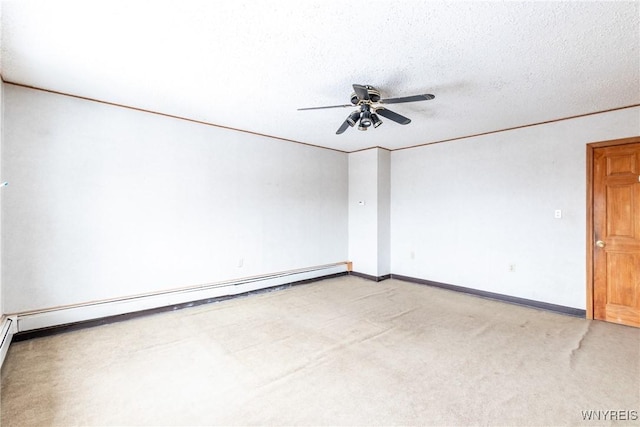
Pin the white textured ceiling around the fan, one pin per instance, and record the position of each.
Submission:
(250, 64)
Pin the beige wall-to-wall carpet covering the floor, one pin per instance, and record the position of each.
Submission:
(343, 351)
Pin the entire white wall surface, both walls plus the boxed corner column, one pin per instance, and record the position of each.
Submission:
(106, 202)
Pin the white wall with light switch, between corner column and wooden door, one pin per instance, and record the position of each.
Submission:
(462, 212)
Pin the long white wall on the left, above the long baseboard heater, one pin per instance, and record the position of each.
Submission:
(107, 202)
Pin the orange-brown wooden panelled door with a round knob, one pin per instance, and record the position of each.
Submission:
(616, 232)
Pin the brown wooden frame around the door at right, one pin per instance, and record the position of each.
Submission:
(591, 147)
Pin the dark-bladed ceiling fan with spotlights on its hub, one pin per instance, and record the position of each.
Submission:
(370, 105)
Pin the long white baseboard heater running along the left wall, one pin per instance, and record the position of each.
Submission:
(175, 298)
